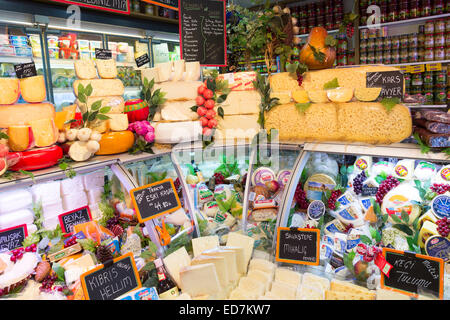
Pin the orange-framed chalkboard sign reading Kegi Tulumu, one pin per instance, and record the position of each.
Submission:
(414, 274)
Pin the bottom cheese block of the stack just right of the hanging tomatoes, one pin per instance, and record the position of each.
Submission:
(243, 127)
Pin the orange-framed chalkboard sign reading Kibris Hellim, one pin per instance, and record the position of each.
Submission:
(112, 281)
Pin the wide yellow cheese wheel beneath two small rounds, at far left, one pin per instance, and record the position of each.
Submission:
(22, 114)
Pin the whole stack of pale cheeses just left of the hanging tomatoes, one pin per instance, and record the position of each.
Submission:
(175, 122)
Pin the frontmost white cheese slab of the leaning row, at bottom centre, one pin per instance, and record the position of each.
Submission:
(200, 280)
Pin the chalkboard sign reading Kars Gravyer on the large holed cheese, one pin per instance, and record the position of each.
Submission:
(390, 82)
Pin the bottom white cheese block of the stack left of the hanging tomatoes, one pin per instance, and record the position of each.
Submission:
(177, 132)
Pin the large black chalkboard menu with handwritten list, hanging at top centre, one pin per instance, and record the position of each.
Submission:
(203, 31)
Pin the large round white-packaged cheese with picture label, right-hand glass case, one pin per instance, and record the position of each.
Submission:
(402, 198)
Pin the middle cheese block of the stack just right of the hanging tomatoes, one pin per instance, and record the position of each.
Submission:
(241, 102)
